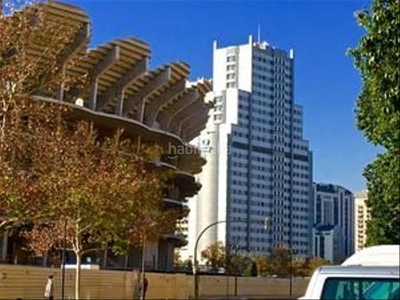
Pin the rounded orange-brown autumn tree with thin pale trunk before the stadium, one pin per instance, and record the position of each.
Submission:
(121, 204)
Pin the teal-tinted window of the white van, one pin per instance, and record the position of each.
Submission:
(361, 289)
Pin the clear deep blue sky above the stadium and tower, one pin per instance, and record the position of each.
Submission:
(326, 84)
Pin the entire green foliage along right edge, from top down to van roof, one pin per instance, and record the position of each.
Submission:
(377, 57)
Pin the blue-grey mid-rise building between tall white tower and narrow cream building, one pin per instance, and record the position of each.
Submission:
(334, 206)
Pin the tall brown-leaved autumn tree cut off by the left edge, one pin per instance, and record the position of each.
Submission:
(22, 74)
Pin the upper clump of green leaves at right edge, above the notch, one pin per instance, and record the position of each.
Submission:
(377, 57)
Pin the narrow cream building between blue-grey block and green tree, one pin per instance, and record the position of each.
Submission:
(361, 216)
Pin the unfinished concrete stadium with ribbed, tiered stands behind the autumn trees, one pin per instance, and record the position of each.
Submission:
(155, 106)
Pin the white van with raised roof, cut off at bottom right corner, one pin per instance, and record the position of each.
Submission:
(370, 274)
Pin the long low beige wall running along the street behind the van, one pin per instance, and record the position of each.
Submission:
(29, 282)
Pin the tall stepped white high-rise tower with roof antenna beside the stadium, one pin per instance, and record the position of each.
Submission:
(259, 167)
